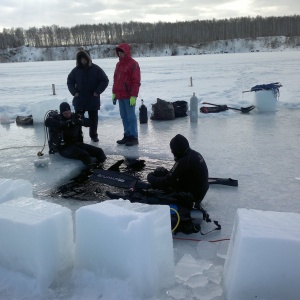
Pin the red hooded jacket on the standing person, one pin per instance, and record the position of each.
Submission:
(127, 76)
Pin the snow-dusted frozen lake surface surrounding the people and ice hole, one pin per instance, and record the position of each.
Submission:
(261, 150)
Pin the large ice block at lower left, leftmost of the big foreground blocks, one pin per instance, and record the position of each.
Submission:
(36, 239)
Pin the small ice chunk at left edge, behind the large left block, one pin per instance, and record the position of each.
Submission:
(12, 189)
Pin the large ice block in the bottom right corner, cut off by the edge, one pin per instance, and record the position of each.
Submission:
(263, 259)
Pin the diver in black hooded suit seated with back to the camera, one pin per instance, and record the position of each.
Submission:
(189, 173)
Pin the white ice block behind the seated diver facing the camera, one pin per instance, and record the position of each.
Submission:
(39, 109)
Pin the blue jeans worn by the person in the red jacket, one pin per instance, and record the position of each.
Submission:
(129, 119)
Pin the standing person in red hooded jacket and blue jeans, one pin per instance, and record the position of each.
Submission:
(127, 81)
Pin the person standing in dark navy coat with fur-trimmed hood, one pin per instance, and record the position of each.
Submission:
(86, 82)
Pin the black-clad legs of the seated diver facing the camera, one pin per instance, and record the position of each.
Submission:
(83, 152)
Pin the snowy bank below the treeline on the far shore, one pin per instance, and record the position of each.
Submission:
(266, 44)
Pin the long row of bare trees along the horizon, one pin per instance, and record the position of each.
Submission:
(189, 32)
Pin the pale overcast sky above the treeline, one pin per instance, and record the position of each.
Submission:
(29, 13)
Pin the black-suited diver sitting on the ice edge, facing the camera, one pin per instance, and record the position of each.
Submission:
(66, 137)
